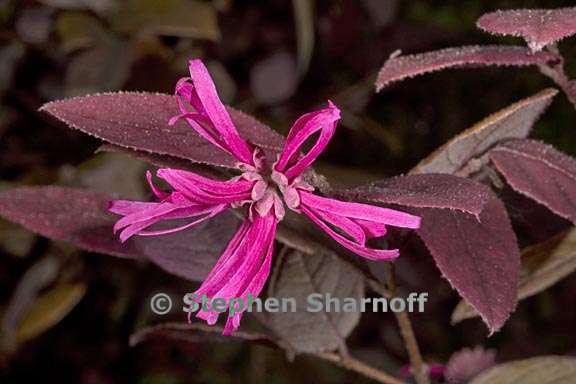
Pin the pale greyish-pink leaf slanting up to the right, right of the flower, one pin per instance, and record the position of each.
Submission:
(515, 121)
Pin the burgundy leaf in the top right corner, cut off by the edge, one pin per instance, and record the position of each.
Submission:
(539, 27)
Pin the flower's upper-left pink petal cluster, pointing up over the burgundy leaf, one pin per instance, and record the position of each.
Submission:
(201, 107)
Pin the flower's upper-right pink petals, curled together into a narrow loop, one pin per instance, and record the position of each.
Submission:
(325, 121)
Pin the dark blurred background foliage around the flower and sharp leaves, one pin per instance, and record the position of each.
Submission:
(49, 51)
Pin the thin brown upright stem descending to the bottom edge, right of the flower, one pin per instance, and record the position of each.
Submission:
(407, 332)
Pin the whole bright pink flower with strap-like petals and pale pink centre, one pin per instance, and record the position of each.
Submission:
(264, 190)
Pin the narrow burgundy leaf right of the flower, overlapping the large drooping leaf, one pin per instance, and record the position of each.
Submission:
(426, 191)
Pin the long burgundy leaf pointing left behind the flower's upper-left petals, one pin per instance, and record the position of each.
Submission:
(140, 121)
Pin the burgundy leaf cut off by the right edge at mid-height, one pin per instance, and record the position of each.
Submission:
(540, 172)
